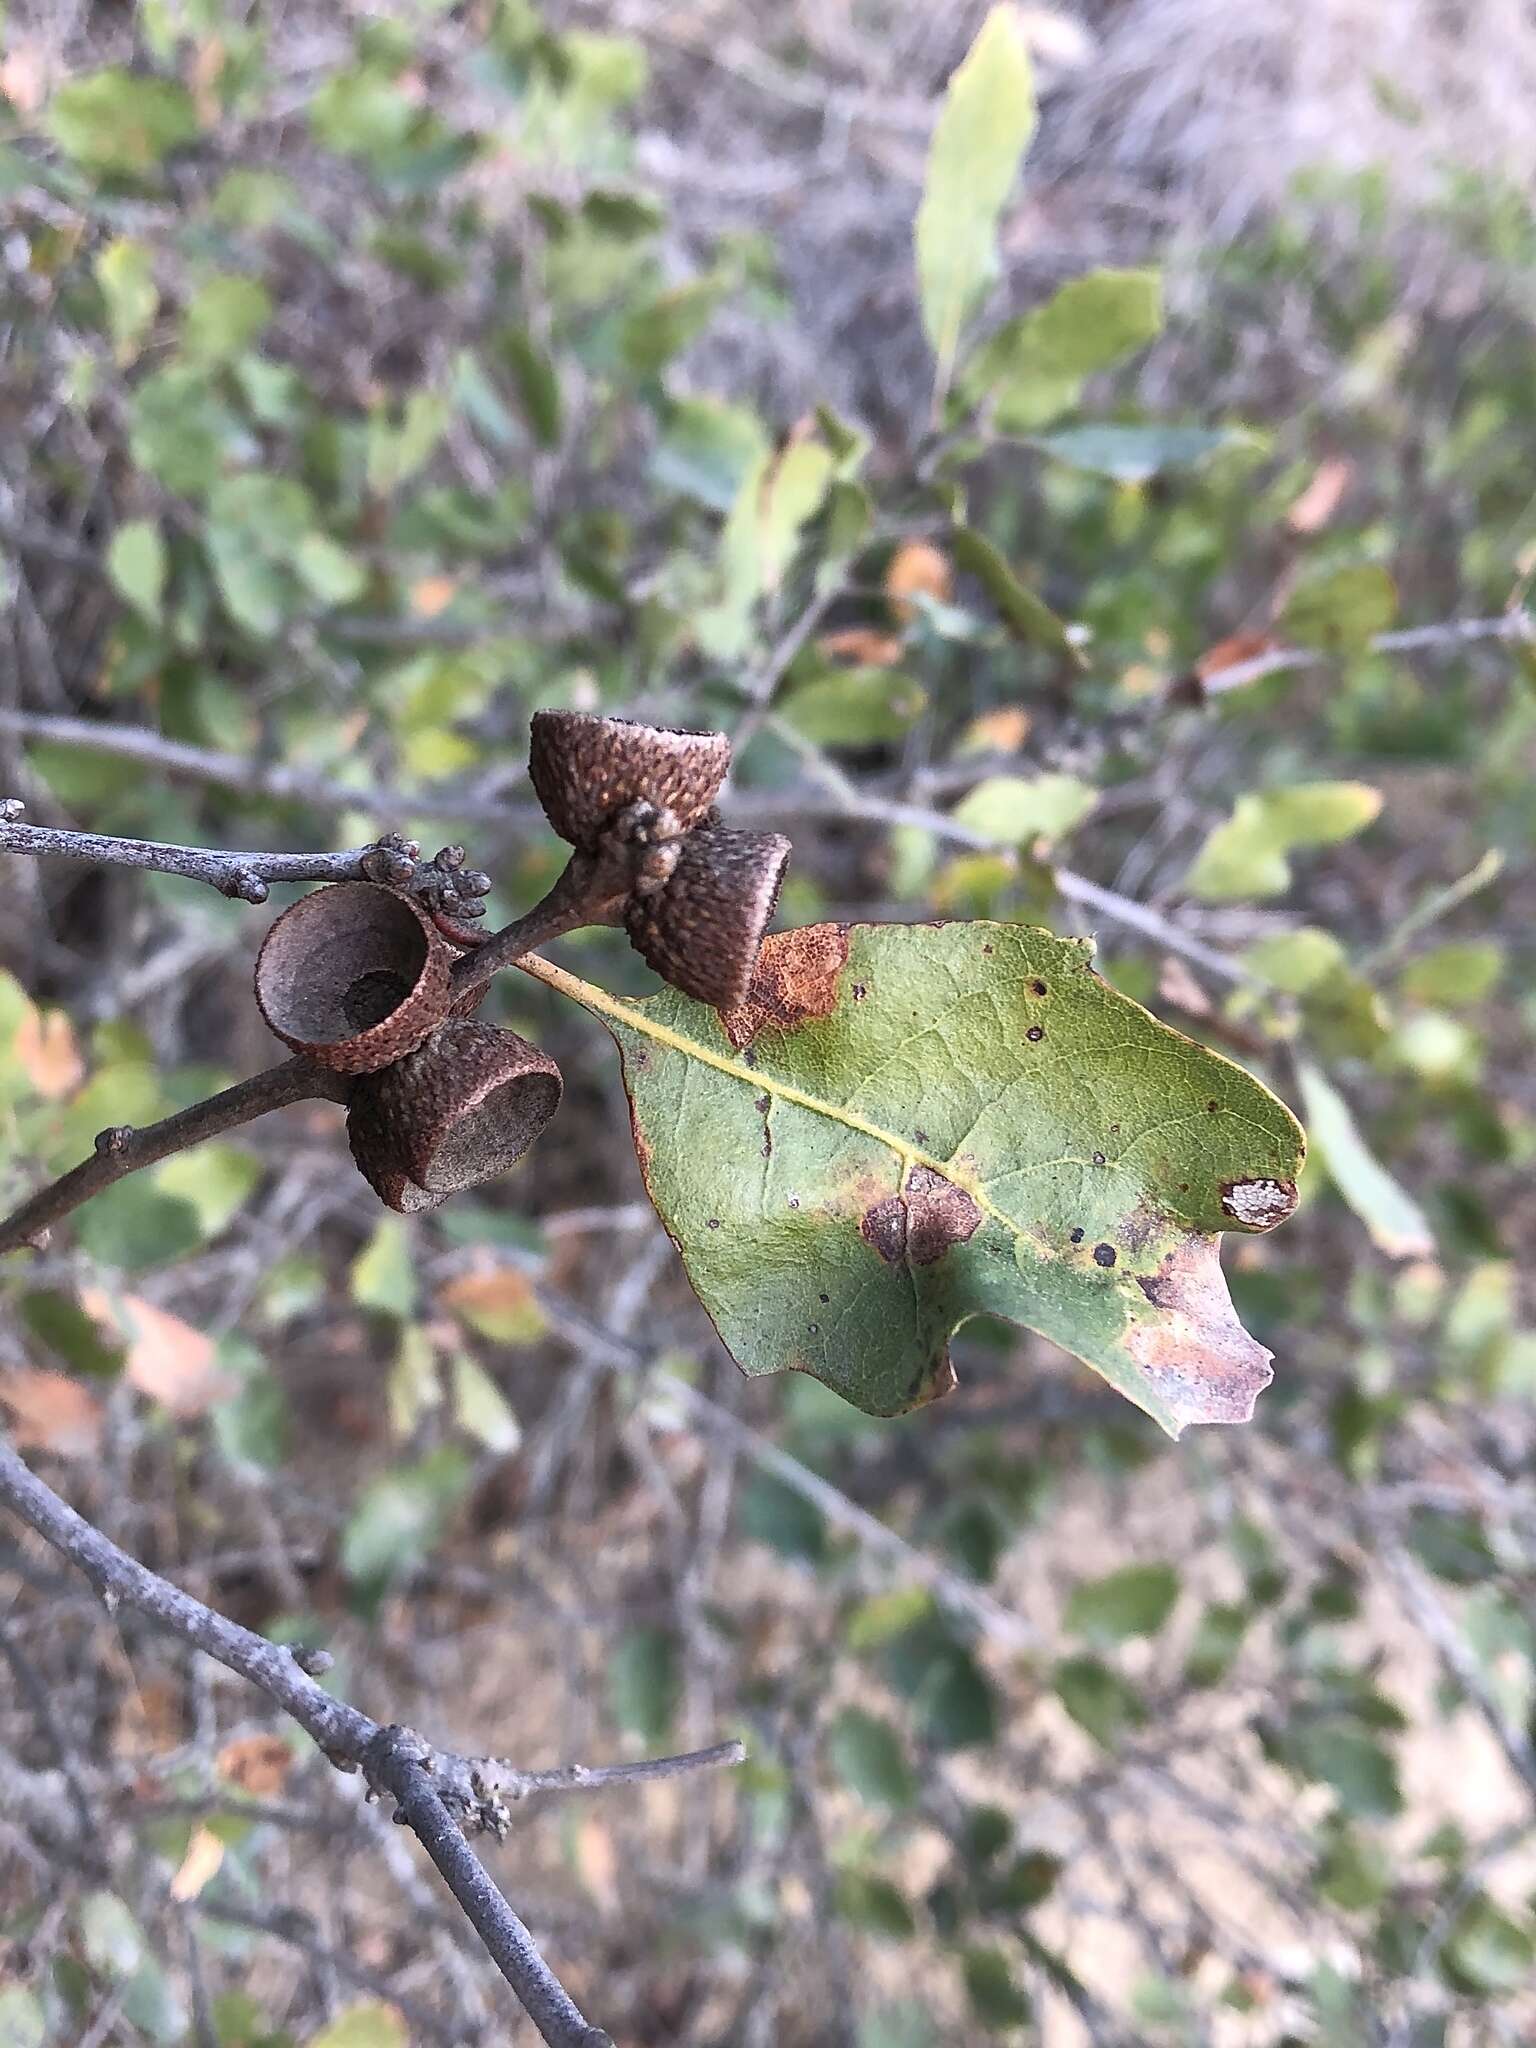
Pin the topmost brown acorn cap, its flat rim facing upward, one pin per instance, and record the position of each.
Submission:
(589, 767)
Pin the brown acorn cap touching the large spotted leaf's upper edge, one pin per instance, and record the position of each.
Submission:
(703, 929)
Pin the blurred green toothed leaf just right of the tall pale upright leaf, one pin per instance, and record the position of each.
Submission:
(1035, 368)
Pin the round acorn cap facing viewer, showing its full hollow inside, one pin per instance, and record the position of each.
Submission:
(353, 976)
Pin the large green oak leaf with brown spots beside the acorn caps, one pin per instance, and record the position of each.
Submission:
(910, 1125)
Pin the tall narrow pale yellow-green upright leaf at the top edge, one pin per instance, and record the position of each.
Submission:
(984, 130)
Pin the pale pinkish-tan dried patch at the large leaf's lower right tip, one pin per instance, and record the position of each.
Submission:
(1199, 1359)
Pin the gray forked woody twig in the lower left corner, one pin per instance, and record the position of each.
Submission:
(437, 1795)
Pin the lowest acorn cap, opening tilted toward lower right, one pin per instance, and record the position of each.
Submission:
(460, 1111)
